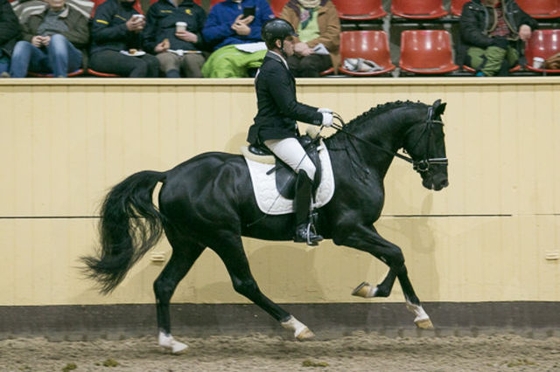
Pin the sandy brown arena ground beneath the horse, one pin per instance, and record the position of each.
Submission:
(356, 352)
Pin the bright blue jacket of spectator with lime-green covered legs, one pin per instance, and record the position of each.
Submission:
(217, 31)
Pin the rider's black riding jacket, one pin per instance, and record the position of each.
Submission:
(278, 108)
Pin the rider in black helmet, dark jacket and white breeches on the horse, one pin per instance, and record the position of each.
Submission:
(275, 124)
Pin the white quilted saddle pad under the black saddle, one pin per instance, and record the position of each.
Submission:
(269, 199)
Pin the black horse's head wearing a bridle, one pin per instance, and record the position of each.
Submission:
(425, 143)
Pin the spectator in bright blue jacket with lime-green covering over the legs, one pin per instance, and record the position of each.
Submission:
(230, 25)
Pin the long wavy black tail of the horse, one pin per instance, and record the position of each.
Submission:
(130, 225)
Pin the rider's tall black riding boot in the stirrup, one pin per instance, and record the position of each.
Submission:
(305, 232)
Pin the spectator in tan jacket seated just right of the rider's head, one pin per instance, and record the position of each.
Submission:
(317, 44)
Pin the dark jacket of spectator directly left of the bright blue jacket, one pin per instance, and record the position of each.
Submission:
(160, 24)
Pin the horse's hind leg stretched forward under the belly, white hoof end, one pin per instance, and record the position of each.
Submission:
(244, 283)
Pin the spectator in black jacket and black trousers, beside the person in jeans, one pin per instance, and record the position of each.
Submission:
(115, 33)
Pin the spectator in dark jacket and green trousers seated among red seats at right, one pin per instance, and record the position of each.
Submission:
(493, 33)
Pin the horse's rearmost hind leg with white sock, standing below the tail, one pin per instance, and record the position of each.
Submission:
(182, 259)
